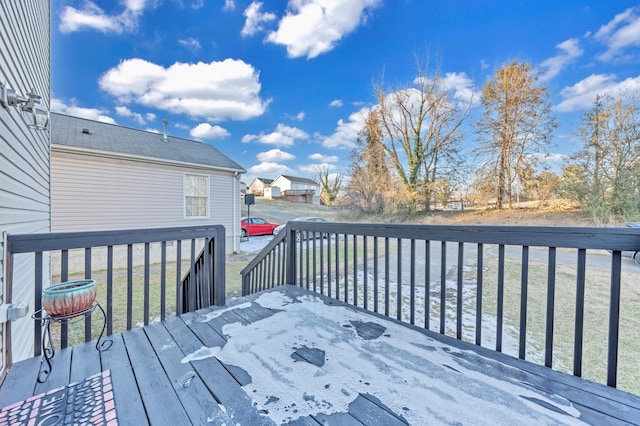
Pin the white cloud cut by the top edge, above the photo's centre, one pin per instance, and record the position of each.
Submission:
(313, 27)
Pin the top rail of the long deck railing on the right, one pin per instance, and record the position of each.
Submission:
(620, 238)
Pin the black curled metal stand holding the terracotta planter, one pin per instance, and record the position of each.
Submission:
(48, 348)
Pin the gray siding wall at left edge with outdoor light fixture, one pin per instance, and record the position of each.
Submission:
(24, 153)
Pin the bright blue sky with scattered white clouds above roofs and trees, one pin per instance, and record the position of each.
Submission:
(282, 87)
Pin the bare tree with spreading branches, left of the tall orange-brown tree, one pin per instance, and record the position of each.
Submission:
(420, 132)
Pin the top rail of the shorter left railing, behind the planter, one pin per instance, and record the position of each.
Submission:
(27, 243)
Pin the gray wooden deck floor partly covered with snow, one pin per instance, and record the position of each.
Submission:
(288, 356)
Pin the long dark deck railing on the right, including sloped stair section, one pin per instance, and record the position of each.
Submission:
(500, 282)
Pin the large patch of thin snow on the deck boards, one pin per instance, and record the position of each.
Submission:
(417, 377)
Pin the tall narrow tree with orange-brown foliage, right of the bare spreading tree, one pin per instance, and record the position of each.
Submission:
(517, 121)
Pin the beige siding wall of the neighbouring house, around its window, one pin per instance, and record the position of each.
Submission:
(92, 192)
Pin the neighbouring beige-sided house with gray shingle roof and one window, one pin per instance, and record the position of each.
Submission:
(105, 177)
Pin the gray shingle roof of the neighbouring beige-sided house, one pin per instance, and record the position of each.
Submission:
(68, 131)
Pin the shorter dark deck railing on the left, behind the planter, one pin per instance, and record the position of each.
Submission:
(142, 274)
